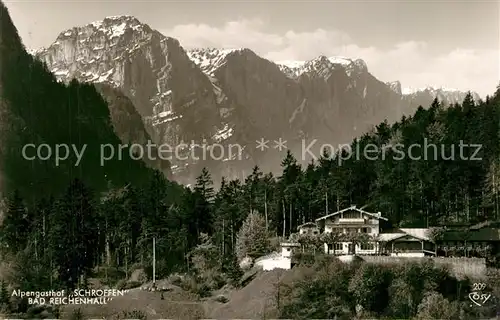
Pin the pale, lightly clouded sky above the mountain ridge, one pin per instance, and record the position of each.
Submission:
(452, 44)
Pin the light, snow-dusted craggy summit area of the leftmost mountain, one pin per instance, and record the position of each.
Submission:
(99, 51)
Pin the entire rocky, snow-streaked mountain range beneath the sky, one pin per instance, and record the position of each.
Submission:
(226, 96)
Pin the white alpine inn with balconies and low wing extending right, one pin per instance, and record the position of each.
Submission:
(379, 238)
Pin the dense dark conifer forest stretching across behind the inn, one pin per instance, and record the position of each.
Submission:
(81, 228)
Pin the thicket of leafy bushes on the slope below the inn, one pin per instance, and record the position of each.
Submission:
(332, 289)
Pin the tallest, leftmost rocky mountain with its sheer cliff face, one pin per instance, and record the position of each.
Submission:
(151, 69)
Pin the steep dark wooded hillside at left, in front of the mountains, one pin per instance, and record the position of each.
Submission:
(36, 109)
